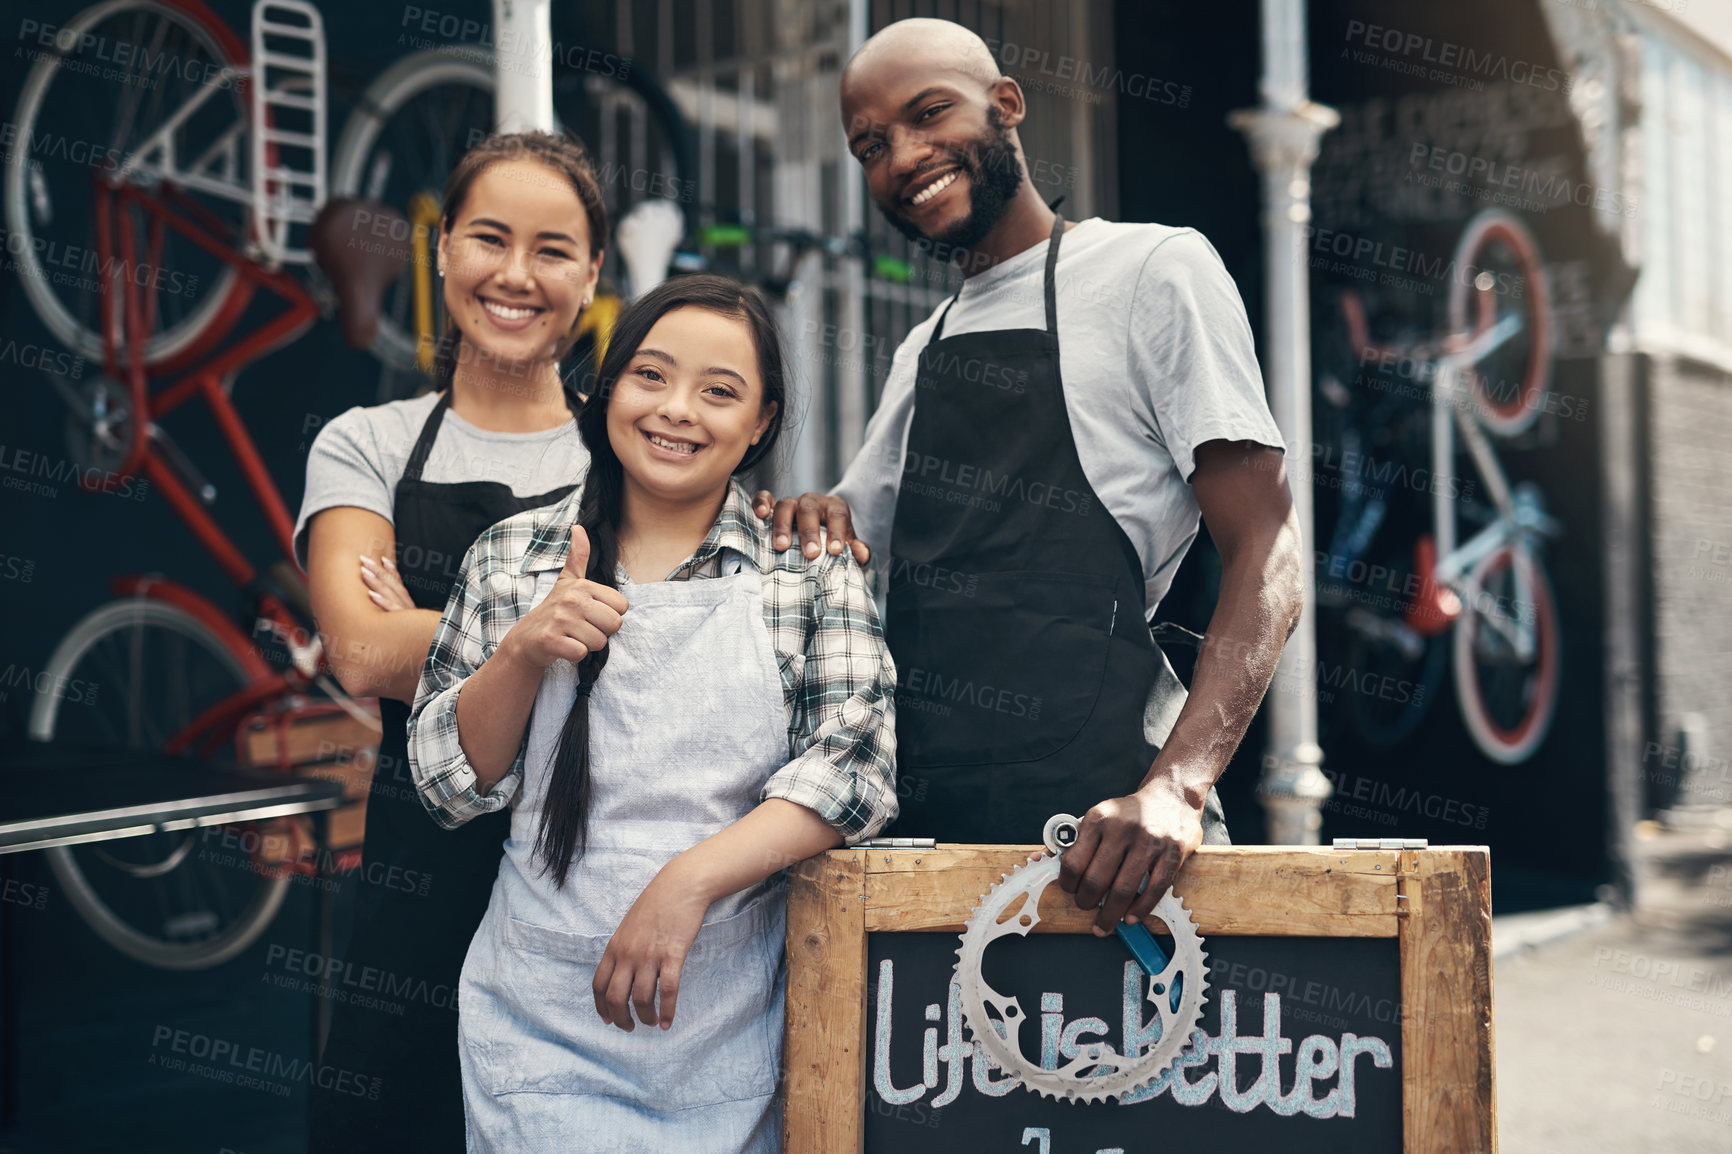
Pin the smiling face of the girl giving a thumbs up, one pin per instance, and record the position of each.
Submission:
(688, 406)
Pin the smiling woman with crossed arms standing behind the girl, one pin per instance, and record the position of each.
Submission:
(396, 495)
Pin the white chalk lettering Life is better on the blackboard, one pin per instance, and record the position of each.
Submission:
(1208, 1070)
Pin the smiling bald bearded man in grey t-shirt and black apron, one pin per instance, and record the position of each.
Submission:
(1031, 481)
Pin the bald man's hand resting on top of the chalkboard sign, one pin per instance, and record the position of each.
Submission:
(1121, 843)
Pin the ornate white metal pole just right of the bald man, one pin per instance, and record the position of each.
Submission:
(1284, 139)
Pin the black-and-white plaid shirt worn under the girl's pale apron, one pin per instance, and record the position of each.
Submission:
(837, 678)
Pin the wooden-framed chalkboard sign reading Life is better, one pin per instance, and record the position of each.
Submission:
(1350, 1008)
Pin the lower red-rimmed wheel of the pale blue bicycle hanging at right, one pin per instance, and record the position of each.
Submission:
(1508, 699)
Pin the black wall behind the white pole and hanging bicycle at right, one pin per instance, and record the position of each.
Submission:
(1189, 167)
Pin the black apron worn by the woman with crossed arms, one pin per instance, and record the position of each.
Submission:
(413, 942)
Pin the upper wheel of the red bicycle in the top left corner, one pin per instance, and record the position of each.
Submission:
(82, 115)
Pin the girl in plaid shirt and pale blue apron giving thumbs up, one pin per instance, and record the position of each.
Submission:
(675, 713)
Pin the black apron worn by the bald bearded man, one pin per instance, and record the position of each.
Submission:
(1028, 680)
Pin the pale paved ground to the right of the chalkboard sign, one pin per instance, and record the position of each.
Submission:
(1617, 1037)
